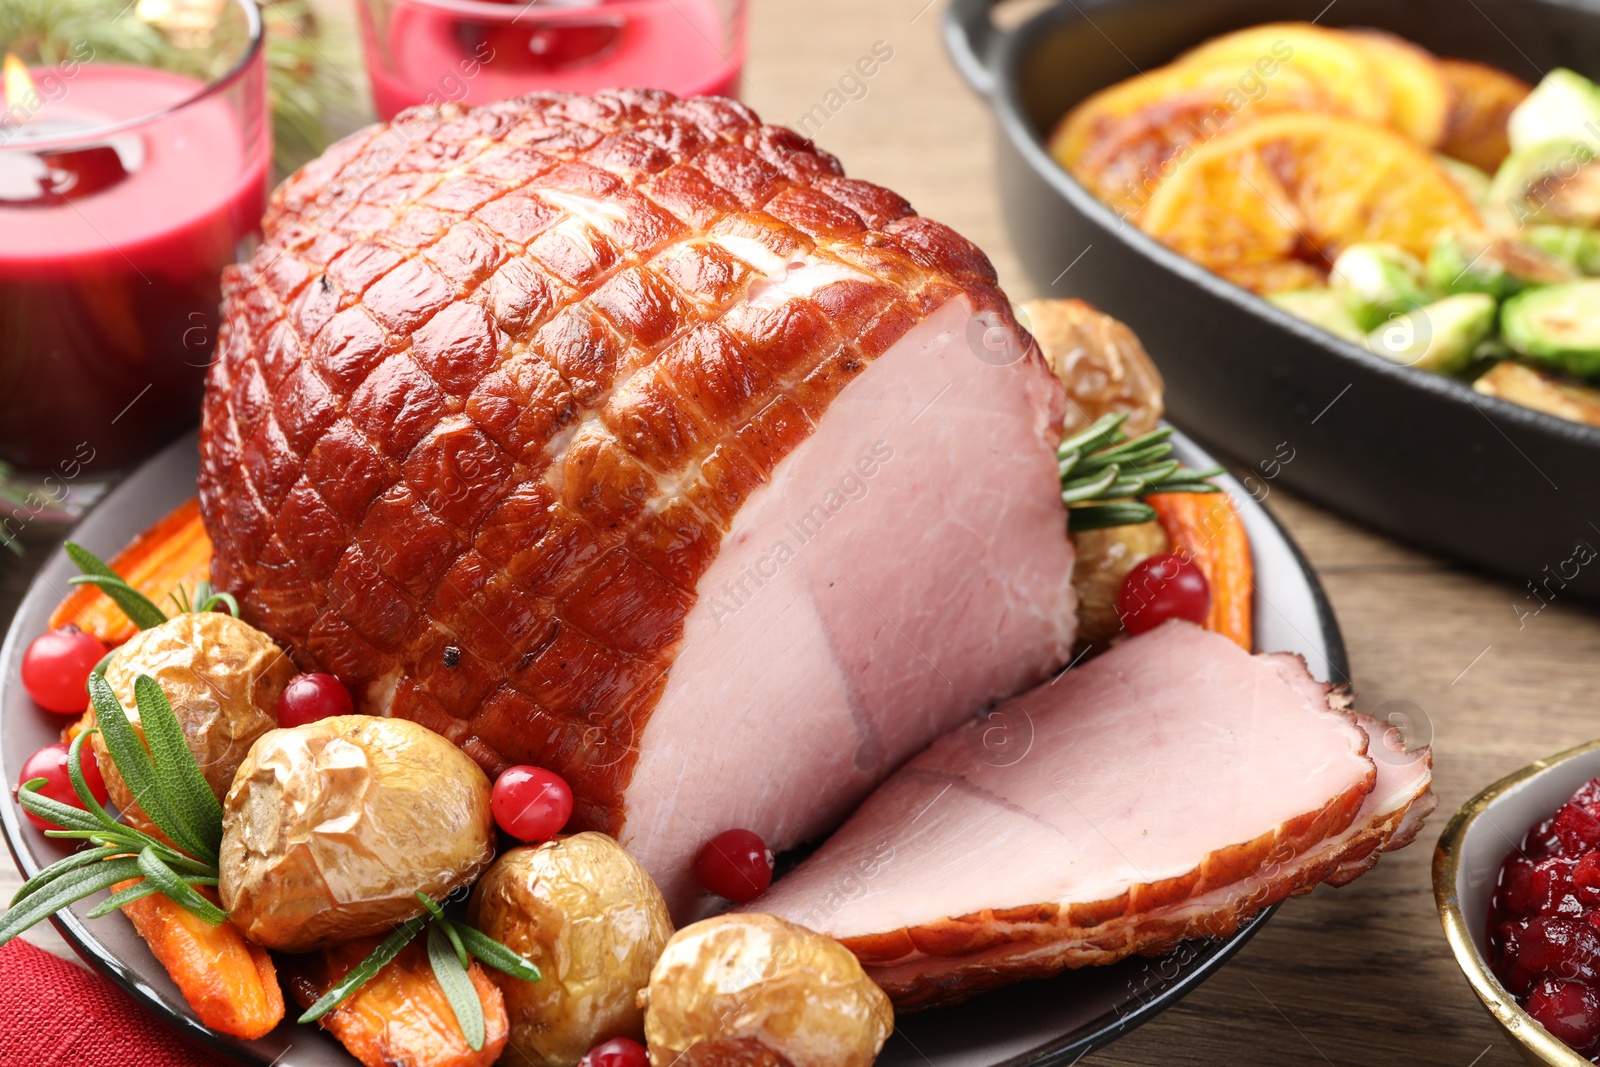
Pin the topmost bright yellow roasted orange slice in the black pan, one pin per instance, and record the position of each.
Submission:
(1334, 62)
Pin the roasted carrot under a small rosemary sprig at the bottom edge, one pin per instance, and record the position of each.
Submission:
(401, 1017)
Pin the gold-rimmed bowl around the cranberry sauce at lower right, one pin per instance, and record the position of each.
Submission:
(1466, 866)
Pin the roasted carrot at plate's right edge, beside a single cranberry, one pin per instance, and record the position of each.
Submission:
(1207, 529)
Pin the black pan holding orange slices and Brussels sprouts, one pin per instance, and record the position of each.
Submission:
(1418, 457)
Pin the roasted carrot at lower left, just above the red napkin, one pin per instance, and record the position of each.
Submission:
(230, 981)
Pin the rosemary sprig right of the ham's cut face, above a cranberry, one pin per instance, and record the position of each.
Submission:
(1105, 474)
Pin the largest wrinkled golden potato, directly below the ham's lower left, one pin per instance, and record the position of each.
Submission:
(334, 828)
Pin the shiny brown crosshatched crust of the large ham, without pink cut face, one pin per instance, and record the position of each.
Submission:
(498, 382)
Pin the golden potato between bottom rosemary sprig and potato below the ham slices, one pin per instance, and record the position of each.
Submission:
(593, 922)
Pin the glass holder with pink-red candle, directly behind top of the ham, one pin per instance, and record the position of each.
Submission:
(433, 52)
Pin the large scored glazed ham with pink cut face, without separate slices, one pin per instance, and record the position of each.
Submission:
(626, 436)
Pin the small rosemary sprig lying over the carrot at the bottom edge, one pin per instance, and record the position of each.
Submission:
(449, 949)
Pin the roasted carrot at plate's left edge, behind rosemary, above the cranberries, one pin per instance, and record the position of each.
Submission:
(174, 554)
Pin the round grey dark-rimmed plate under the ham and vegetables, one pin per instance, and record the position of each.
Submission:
(1034, 1025)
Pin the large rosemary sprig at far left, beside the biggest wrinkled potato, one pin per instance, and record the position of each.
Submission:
(167, 788)
